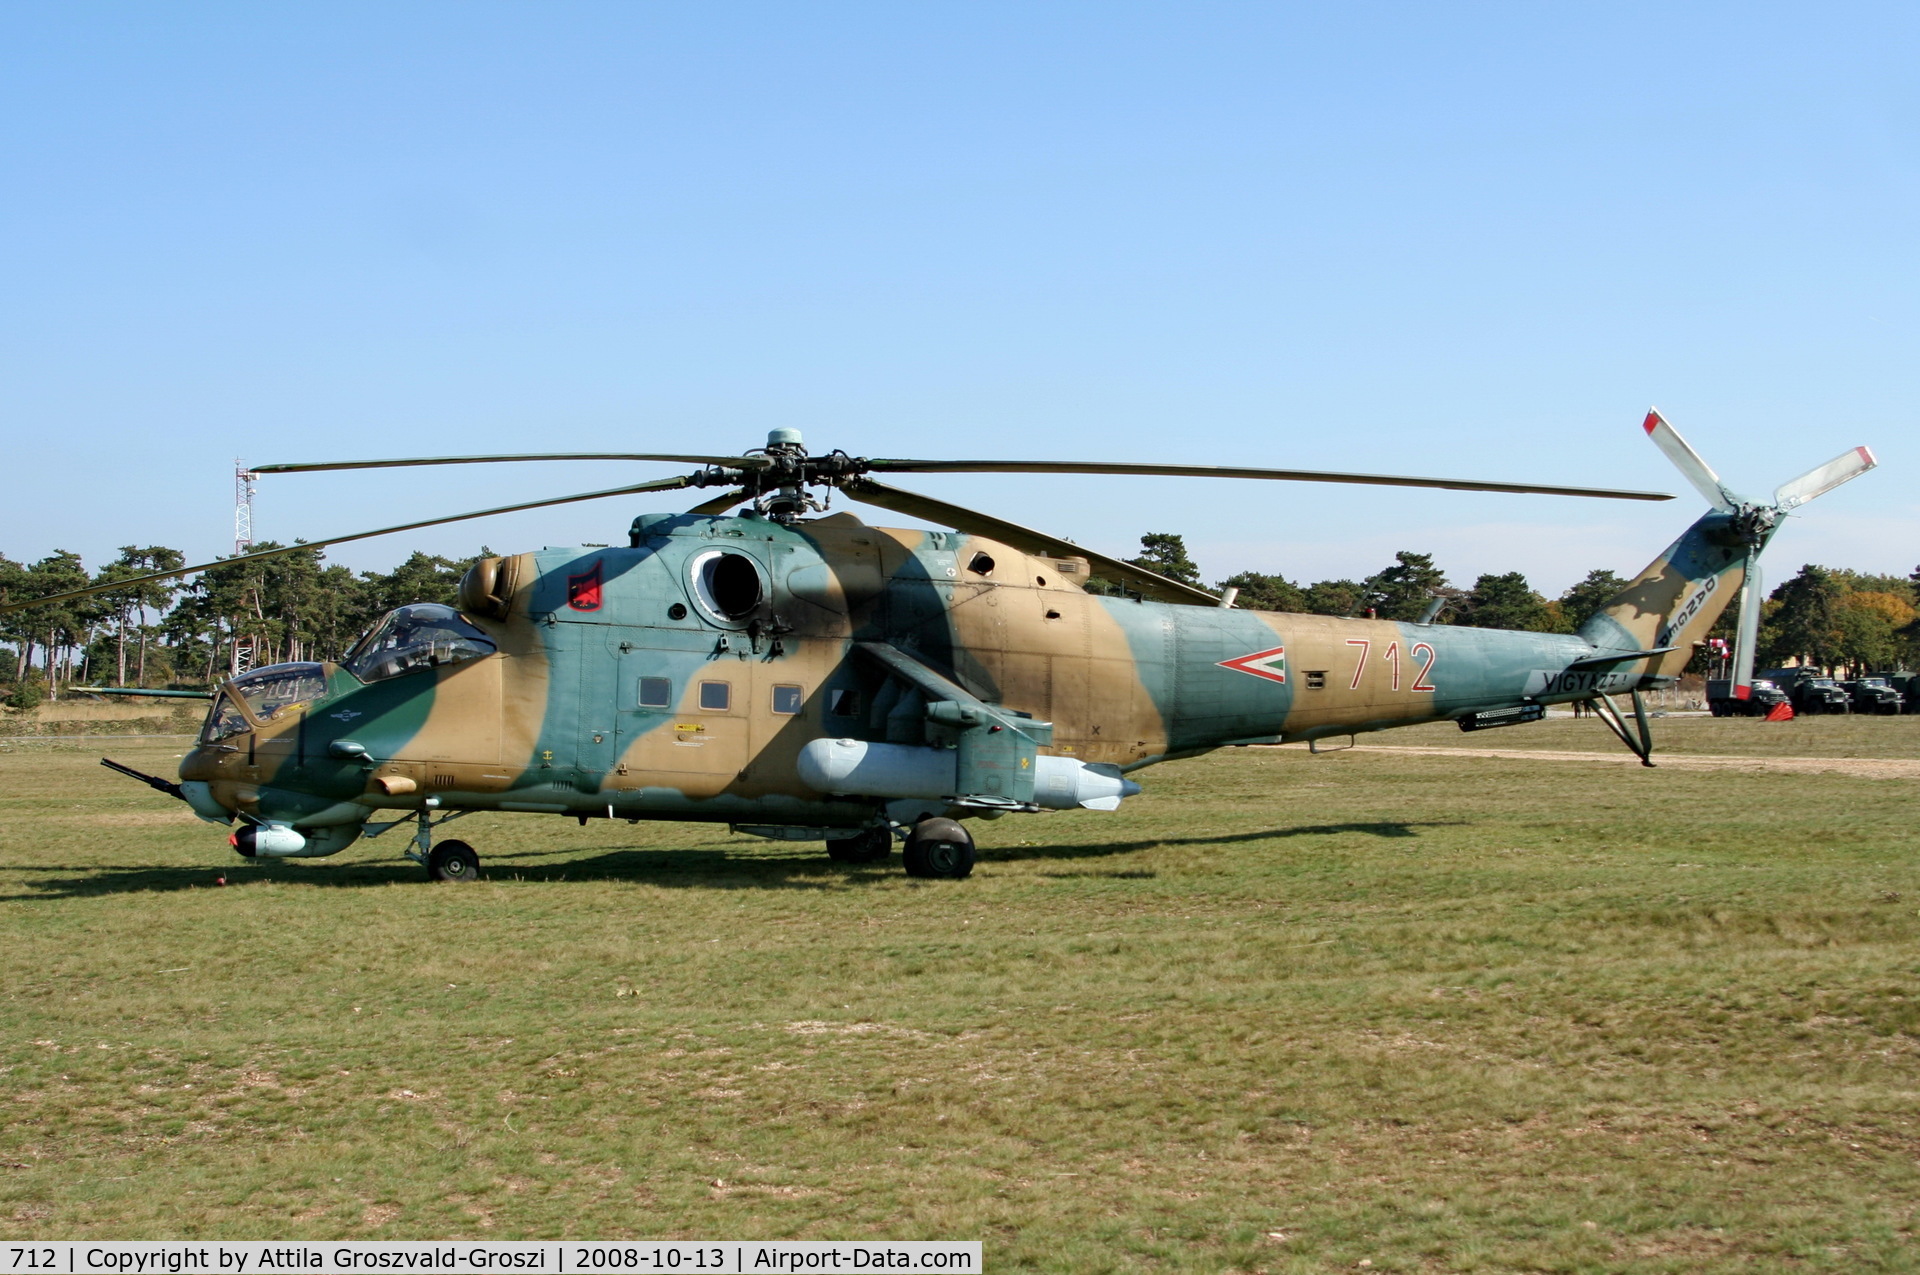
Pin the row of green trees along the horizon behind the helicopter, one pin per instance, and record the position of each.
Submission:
(299, 608)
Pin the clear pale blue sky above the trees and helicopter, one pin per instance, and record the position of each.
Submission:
(1414, 239)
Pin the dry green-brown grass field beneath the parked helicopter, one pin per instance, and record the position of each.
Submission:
(1285, 1013)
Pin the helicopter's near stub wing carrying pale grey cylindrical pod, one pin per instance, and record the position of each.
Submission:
(978, 756)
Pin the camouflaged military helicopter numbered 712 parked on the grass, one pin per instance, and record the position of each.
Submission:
(809, 677)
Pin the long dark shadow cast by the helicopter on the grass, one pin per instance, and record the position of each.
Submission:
(665, 867)
